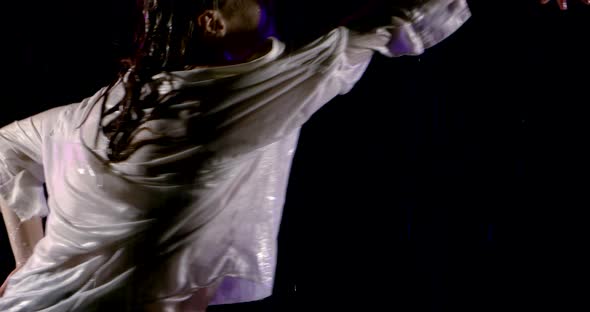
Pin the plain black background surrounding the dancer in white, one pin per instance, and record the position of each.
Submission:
(453, 181)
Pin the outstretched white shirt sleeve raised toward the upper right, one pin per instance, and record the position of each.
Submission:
(270, 103)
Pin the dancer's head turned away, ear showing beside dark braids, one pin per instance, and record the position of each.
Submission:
(178, 33)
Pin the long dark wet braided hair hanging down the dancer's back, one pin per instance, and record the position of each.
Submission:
(164, 40)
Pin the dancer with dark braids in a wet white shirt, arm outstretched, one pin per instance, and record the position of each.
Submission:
(166, 188)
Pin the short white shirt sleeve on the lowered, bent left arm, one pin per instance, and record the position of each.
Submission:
(21, 165)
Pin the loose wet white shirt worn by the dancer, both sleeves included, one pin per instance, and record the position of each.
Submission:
(170, 220)
